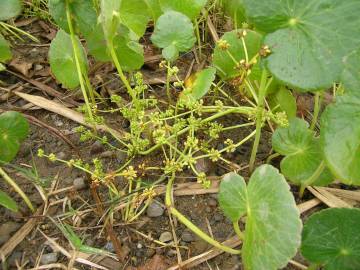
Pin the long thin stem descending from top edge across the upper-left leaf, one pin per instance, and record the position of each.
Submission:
(77, 61)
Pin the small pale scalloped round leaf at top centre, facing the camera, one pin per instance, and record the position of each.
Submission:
(173, 29)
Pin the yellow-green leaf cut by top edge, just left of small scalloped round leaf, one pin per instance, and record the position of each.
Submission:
(135, 15)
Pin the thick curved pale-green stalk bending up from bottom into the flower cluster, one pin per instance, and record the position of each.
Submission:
(192, 226)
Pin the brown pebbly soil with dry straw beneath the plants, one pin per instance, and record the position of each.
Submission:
(71, 198)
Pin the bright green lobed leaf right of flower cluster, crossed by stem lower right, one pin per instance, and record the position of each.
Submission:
(302, 153)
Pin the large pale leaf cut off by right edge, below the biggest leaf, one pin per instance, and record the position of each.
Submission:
(340, 138)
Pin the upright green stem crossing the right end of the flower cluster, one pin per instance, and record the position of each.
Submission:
(259, 119)
